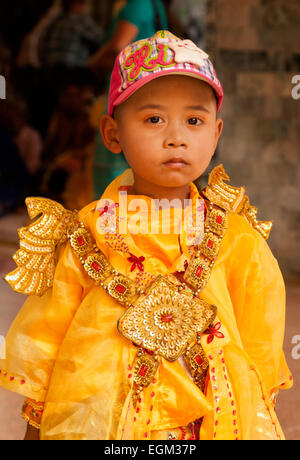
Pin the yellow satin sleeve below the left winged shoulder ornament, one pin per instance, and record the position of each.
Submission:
(37, 332)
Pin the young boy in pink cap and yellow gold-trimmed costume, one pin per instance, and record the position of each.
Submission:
(148, 334)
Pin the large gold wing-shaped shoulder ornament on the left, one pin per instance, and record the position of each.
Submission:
(38, 242)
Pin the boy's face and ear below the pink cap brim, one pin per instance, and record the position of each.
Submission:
(168, 131)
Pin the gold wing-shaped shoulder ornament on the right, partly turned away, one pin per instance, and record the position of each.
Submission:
(234, 199)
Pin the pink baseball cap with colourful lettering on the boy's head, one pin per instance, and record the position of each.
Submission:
(163, 54)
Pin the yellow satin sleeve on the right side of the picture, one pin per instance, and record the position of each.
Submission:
(258, 295)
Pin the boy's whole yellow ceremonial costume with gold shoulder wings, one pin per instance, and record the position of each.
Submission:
(64, 347)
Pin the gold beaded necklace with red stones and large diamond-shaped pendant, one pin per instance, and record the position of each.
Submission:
(167, 318)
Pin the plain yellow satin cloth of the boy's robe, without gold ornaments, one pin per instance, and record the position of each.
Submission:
(64, 348)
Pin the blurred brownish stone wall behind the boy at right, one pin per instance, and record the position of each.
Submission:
(255, 47)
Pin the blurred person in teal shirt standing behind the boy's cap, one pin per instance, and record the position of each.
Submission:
(132, 20)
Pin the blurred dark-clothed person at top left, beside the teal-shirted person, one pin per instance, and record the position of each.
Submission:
(71, 38)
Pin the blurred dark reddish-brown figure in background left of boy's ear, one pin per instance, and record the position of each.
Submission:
(69, 147)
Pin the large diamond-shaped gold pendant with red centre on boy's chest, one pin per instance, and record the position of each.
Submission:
(165, 320)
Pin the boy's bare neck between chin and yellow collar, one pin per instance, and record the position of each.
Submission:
(157, 192)
